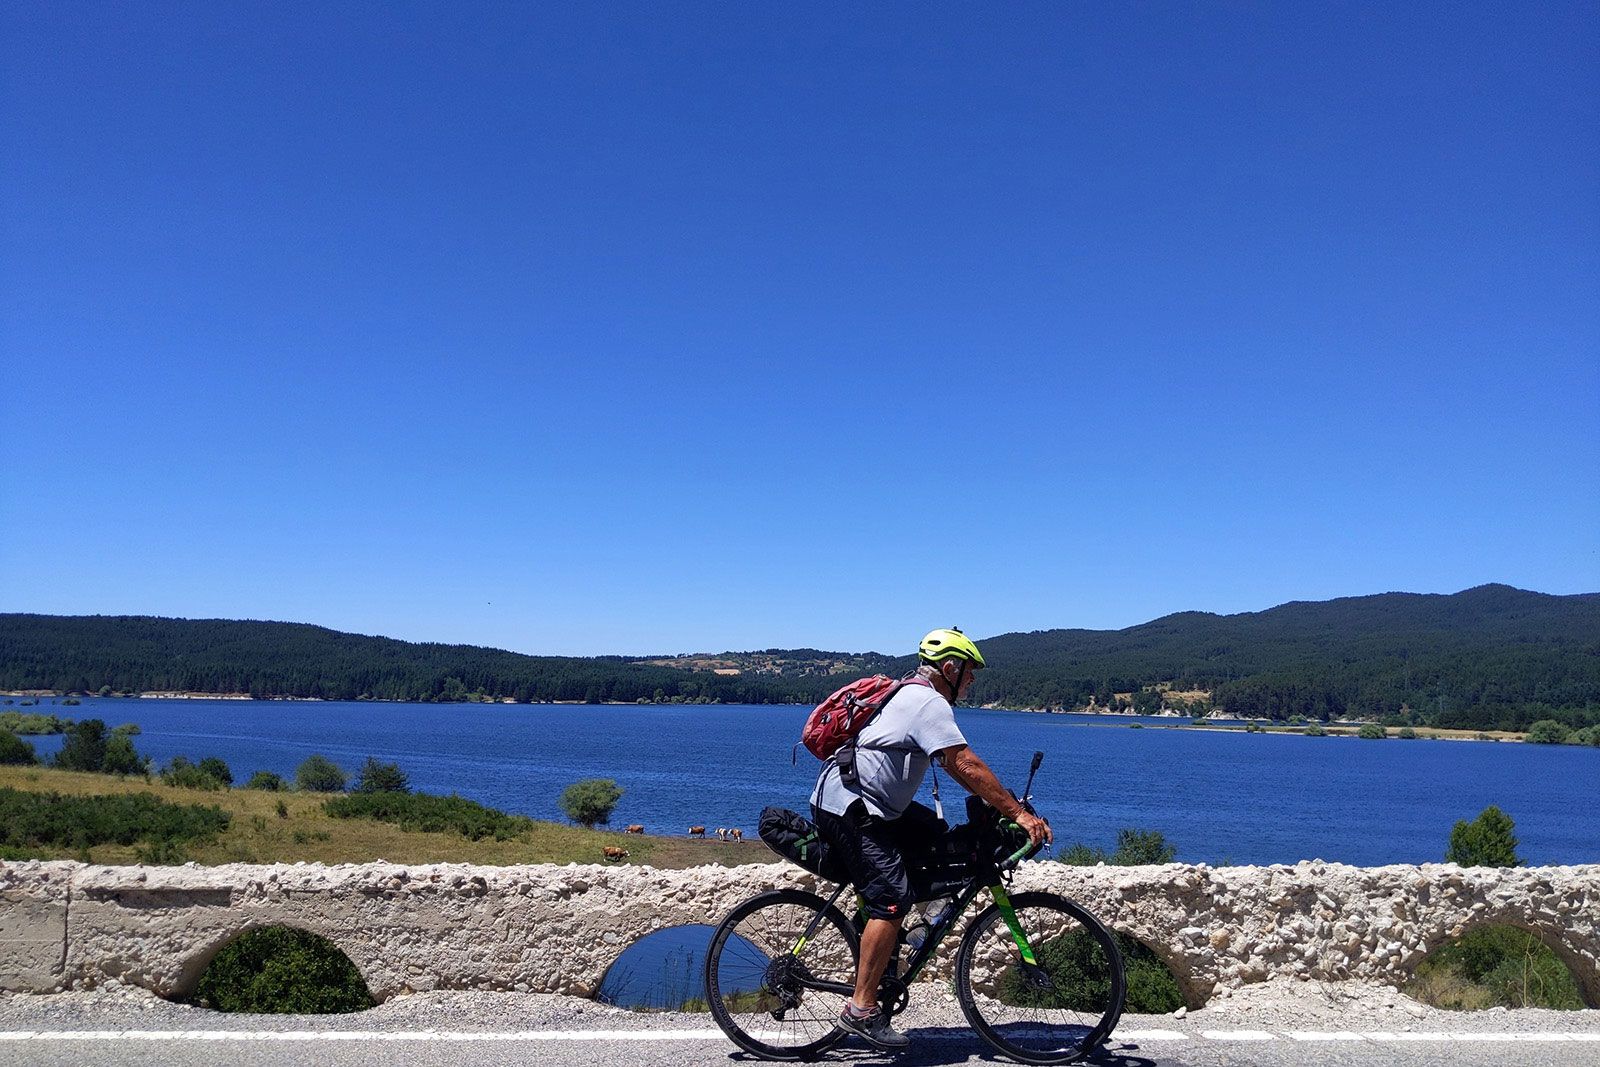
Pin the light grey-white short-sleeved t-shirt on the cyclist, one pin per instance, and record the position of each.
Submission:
(894, 754)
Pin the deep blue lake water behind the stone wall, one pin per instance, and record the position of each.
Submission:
(1246, 799)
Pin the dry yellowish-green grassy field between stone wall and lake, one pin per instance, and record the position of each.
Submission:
(305, 831)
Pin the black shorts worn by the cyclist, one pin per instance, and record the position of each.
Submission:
(876, 852)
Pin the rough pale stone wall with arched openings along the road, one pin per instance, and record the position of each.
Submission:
(556, 930)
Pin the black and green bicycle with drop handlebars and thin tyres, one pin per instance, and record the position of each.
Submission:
(1038, 977)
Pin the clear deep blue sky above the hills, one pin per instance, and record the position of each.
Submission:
(636, 329)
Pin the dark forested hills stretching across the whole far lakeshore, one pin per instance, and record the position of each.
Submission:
(1490, 657)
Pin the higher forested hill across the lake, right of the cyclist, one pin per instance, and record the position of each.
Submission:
(1486, 658)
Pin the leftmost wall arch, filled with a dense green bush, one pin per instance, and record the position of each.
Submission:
(281, 970)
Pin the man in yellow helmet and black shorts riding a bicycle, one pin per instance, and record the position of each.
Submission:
(873, 820)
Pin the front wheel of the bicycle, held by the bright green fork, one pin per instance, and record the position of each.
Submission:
(1057, 1009)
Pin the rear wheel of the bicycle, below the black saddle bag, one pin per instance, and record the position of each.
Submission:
(759, 986)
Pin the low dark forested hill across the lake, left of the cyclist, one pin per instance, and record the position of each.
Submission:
(271, 660)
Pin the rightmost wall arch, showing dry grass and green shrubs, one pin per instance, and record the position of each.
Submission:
(1495, 967)
